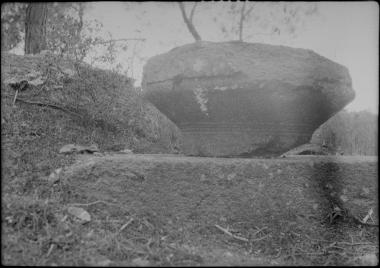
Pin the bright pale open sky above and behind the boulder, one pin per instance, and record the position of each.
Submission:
(345, 32)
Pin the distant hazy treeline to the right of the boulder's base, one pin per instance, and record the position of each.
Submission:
(352, 133)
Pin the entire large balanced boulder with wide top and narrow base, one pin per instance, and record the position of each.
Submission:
(245, 99)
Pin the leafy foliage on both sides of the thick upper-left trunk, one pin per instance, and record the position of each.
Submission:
(69, 34)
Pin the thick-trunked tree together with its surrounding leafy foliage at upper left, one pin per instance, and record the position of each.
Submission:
(63, 29)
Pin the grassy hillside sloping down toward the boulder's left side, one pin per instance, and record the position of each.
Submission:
(67, 104)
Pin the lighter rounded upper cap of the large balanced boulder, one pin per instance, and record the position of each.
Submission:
(254, 60)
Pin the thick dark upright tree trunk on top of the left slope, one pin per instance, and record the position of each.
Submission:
(35, 28)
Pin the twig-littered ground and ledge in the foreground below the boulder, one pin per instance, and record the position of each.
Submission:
(170, 210)
